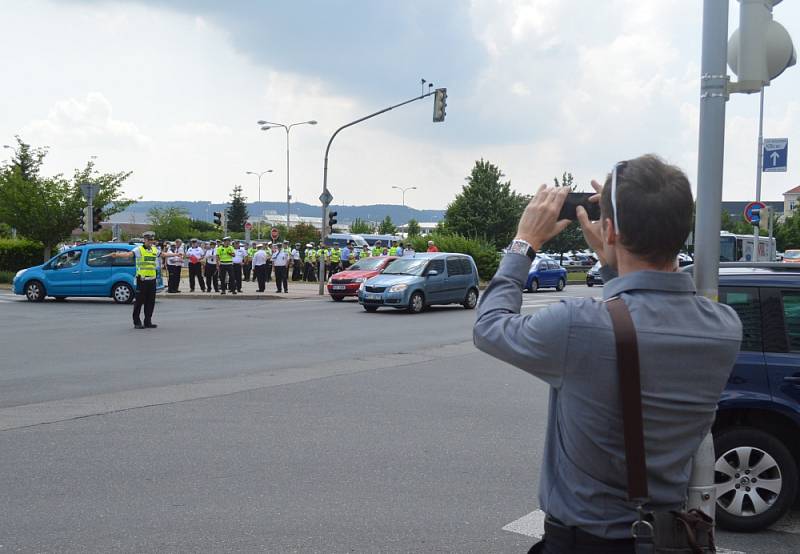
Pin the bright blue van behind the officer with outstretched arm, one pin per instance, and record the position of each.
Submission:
(82, 271)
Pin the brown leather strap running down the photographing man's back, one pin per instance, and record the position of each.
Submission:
(631, 395)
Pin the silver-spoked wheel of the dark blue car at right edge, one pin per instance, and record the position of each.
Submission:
(755, 477)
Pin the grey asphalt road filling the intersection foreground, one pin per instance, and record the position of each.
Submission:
(275, 426)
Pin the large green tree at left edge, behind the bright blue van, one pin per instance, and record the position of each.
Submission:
(47, 209)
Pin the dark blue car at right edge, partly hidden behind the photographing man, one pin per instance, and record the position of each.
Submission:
(757, 427)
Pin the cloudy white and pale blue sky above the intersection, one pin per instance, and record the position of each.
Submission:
(172, 90)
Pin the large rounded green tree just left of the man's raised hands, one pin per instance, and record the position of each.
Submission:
(486, 207)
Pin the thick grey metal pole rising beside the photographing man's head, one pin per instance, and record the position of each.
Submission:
(711, 151)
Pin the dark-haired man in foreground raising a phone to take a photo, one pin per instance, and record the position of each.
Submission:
(687, 346)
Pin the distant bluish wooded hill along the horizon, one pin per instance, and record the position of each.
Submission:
(346, 214)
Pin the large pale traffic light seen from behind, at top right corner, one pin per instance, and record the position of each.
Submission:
(760, 49)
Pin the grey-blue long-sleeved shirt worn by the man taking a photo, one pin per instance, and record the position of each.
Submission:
(687, 348)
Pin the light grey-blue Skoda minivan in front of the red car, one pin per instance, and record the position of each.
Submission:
(415, 282)
